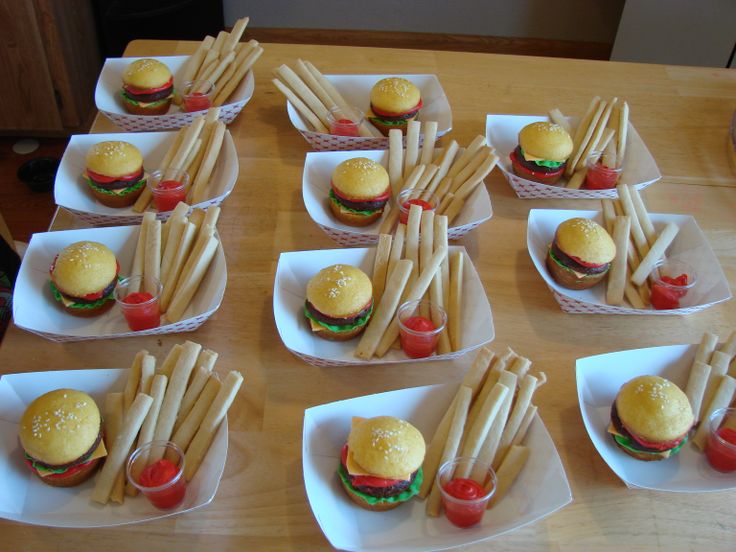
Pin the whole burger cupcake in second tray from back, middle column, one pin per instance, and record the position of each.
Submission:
(359, 190)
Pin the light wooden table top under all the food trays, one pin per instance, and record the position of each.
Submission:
(681, 113)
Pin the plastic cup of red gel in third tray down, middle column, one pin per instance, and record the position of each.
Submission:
(420, 326)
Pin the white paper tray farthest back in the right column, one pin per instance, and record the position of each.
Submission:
(502, 132)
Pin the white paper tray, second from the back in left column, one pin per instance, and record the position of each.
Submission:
(72, 192)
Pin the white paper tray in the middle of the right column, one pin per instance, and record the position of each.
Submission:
(690, 246)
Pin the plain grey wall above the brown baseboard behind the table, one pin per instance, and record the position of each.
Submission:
(579, 20)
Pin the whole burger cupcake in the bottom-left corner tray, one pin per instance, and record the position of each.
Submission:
(61, 436)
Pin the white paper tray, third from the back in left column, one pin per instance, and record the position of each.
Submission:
(36, 310)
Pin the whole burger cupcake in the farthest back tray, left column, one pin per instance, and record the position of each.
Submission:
(148, 87)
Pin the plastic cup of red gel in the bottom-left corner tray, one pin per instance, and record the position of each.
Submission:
(161, 481)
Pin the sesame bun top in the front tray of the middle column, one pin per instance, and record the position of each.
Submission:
(387, 447)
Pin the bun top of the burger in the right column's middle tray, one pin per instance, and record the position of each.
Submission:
(585, 239)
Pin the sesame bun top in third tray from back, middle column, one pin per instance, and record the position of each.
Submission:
(340, 291)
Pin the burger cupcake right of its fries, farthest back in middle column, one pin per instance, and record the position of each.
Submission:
(394, 102)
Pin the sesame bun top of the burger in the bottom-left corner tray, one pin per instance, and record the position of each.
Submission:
(59, 427)
